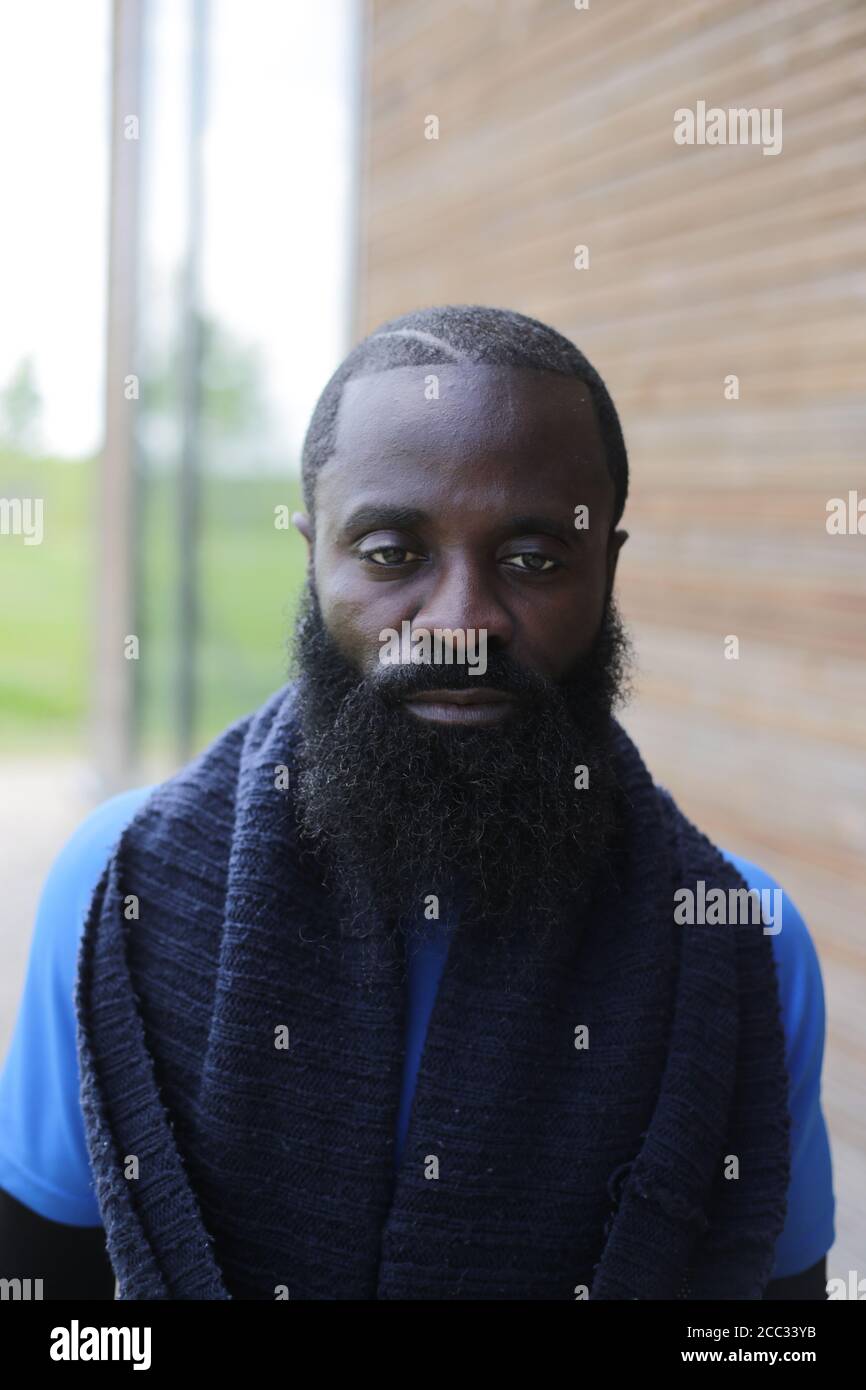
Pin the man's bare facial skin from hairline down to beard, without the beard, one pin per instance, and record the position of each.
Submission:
(459, 514)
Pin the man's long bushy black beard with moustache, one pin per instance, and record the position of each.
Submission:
(415, 821)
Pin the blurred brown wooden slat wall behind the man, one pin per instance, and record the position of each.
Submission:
(555, 130)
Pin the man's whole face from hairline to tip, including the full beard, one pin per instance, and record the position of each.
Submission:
(459, 515)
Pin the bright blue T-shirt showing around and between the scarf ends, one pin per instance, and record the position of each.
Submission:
(44, 1156)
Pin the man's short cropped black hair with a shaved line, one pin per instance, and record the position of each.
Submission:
(464, 333)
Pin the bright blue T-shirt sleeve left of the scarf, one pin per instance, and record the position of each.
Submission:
(44, 1157)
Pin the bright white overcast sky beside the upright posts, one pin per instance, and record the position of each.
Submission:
(279, 188)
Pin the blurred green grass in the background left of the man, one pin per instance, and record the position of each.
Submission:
(250, 580)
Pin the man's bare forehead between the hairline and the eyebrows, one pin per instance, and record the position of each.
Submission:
(461, 407)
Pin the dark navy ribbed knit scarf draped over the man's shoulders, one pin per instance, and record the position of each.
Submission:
(227, 1167)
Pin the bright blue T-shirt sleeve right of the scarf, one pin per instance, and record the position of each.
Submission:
(810, 1225)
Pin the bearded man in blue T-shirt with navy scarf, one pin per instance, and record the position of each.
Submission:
(387, 995)
